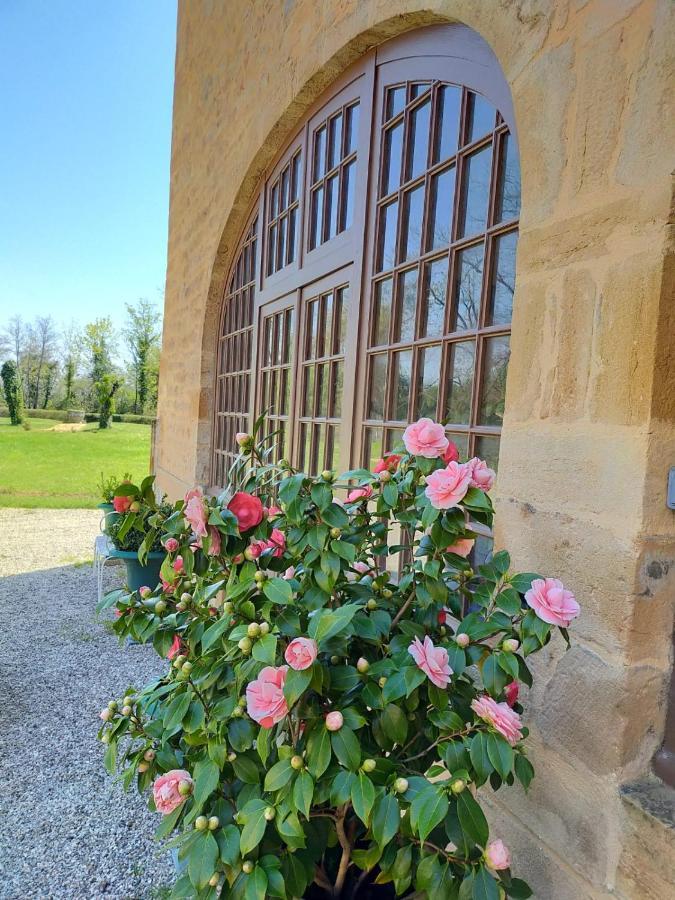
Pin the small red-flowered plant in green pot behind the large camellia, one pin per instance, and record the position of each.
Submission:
(135, 529)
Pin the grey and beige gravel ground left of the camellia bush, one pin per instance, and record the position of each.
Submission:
(66, 829)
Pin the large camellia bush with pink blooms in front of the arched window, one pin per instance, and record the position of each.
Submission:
(343, 684)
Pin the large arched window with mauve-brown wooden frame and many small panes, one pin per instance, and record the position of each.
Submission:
(388, 230)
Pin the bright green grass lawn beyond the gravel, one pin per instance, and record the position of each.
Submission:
(60, 469)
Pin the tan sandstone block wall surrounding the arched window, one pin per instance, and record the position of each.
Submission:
(590, 421)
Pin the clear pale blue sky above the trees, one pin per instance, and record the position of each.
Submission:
(86, 88)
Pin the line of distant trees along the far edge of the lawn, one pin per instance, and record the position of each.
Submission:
(82, 367)
